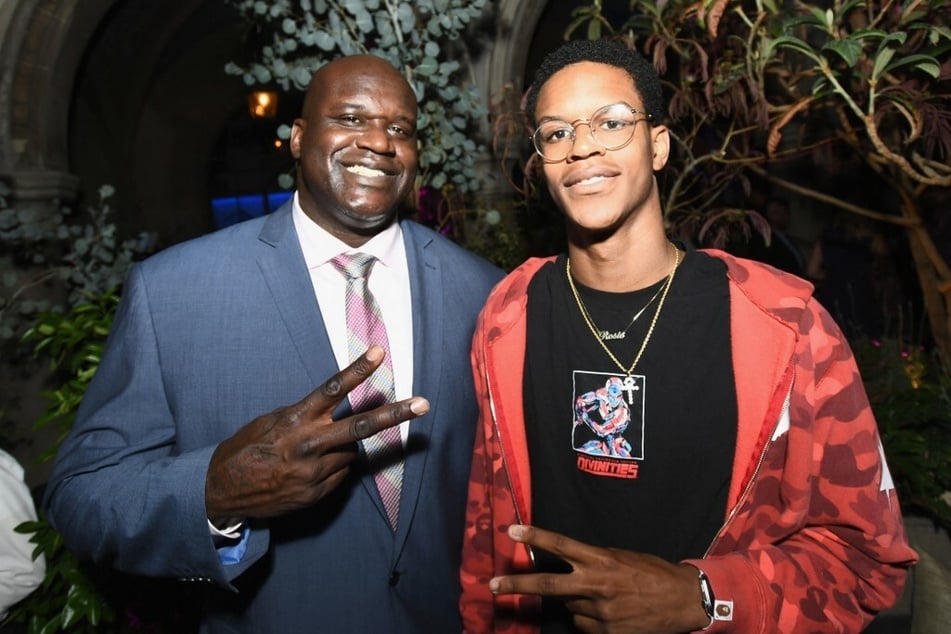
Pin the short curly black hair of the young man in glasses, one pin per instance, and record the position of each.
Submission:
(604, 51)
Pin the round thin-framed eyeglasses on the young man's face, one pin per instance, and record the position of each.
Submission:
(612, 127)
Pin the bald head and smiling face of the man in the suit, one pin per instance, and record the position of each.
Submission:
(356, 147)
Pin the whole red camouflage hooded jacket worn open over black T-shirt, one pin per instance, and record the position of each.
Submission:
(813, 538)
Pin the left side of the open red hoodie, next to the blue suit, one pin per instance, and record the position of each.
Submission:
(499, 462)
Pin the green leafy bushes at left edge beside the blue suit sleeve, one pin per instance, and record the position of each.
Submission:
(61, 300)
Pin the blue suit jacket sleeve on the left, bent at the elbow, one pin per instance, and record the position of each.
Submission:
(152, 521)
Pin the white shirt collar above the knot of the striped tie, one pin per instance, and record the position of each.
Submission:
(320, 246)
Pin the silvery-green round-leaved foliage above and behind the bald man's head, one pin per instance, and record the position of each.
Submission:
(424, 39)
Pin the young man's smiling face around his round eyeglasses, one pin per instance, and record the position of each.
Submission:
(602, 190)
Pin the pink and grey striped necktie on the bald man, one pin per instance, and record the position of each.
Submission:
(365, 327)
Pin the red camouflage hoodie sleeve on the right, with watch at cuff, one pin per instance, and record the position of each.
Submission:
(816, 541)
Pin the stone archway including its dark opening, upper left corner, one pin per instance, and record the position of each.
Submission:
(81, 103)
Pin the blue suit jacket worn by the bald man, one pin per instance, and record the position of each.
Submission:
(217, 331)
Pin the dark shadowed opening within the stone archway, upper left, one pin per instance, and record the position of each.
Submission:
(146, 123)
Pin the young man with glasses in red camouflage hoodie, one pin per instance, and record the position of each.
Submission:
(671, 439)
